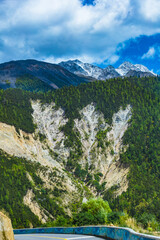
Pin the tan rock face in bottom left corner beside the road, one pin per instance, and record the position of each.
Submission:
(6, 230)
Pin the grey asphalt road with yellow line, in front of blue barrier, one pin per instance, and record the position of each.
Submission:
(54, 236)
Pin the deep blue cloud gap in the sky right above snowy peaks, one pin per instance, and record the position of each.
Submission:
(143, 49)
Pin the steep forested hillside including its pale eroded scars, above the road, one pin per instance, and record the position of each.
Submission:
(62, 147)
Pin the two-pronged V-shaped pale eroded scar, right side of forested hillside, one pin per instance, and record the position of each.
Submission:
(103, 153)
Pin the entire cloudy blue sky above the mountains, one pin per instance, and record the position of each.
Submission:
(100, 32)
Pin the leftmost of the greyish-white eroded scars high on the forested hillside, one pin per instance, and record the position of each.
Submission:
(49, 120)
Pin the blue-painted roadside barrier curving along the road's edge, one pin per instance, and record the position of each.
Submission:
(116, 233)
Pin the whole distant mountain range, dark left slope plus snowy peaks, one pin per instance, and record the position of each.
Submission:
(36, 76)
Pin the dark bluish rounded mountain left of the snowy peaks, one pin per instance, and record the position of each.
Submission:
(34, 75)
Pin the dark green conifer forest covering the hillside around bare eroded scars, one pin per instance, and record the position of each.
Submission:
(142, 156)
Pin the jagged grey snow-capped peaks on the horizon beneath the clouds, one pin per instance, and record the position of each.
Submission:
(89, 70)
